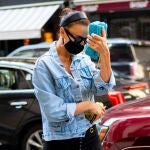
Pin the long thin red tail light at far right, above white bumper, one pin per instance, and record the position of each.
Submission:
(136, 86)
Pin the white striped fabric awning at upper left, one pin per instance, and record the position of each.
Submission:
(26, 22)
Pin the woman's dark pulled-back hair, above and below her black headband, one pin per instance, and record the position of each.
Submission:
(68, 11)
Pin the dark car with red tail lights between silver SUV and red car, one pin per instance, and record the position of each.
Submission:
(125, 90)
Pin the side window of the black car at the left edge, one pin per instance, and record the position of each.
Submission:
(14, 79)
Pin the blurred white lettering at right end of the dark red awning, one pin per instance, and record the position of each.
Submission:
(139, 4)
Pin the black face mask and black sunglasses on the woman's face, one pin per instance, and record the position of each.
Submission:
(74, 47)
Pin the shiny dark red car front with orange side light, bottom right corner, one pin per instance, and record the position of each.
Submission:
(127, 126)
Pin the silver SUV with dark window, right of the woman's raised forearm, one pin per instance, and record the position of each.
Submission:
(130, 57)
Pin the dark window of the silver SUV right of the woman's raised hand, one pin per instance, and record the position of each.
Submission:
(120, 52)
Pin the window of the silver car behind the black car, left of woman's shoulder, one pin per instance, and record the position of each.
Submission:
(31, 52)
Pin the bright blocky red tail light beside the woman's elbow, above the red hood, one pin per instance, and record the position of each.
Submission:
(116, 97)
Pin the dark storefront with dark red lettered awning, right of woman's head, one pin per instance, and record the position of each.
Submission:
(126, 18)
